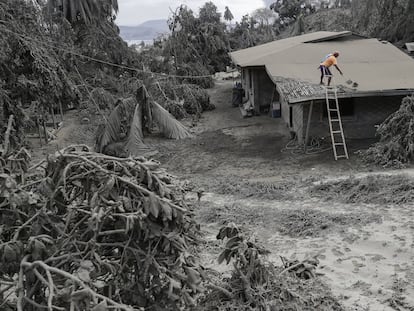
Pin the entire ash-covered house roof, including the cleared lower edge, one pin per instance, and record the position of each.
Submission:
(378, 67)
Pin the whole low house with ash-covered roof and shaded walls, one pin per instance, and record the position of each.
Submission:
(285, 73)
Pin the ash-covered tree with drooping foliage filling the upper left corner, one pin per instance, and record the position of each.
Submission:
(32, 73)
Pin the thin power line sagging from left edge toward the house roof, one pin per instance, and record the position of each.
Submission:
(102, 61)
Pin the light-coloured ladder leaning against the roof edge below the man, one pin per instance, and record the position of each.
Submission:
(335, 123)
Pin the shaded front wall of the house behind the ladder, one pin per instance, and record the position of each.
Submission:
(368, 112)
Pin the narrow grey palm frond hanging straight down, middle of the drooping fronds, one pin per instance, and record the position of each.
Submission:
(135, 144)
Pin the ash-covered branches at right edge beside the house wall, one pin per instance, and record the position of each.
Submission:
(396, 144)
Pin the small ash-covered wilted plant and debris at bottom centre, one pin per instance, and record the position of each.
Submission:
(256, 284)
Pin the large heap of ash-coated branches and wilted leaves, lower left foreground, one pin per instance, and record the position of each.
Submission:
(96, 233)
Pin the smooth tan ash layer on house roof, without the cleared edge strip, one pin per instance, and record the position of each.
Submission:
(377, 67)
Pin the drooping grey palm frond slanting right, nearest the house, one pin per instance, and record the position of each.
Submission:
(167, 124)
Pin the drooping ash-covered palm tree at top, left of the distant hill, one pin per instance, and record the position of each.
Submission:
(95, 35)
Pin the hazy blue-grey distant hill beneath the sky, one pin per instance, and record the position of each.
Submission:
(145, 31)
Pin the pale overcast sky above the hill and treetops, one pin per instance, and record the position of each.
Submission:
(135, 12)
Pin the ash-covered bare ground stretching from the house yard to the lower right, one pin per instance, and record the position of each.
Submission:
(365, 250)
